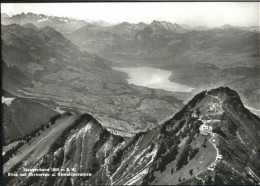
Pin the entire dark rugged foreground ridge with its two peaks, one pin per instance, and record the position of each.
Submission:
(176, 152)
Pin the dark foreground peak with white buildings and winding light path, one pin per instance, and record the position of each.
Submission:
(231, 138)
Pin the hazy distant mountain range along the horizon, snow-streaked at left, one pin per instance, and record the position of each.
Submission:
(67, 25)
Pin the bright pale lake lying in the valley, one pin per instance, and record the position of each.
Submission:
(153, 78)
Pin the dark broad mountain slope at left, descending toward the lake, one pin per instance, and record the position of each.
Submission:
(39, 52)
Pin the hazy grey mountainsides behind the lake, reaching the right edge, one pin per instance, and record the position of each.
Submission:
(171, 39)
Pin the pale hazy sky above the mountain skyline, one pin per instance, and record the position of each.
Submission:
(192, 13)
